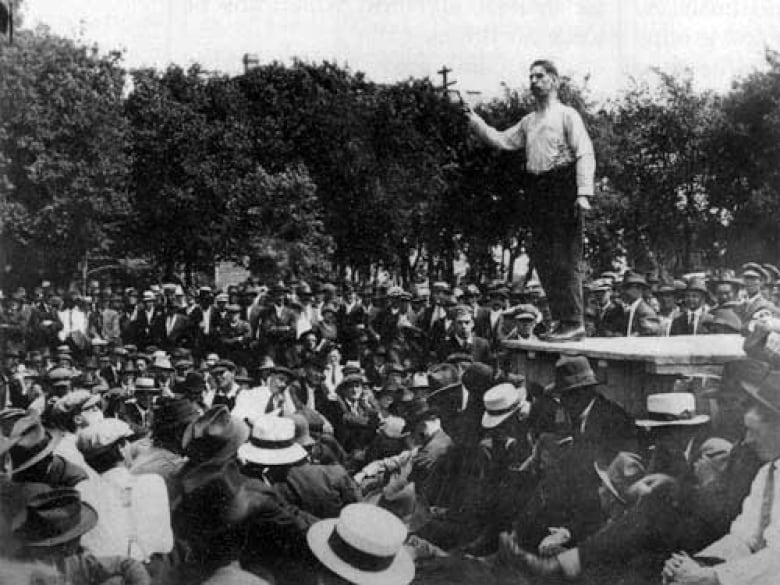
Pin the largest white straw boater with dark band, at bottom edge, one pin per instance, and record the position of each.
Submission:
(355, 549)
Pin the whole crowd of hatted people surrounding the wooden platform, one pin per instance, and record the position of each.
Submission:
(314, 433)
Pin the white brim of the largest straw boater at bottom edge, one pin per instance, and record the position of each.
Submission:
(400, 572)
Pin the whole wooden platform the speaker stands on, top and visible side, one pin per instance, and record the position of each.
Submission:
(630, 367)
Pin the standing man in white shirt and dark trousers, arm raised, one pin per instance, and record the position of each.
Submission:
(560, 168)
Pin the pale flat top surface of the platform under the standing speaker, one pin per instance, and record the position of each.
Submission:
(680, 349)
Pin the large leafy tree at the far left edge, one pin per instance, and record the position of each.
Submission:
(63, 154)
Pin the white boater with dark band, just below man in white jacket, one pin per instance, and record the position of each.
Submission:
(272, 442)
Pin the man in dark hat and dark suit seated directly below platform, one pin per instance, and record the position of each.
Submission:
(567, 494)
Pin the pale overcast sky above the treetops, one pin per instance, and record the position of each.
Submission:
(485, 42)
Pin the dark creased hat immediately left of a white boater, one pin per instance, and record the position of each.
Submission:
(215, 435)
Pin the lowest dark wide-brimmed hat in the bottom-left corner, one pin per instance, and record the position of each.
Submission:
(54, 517)
